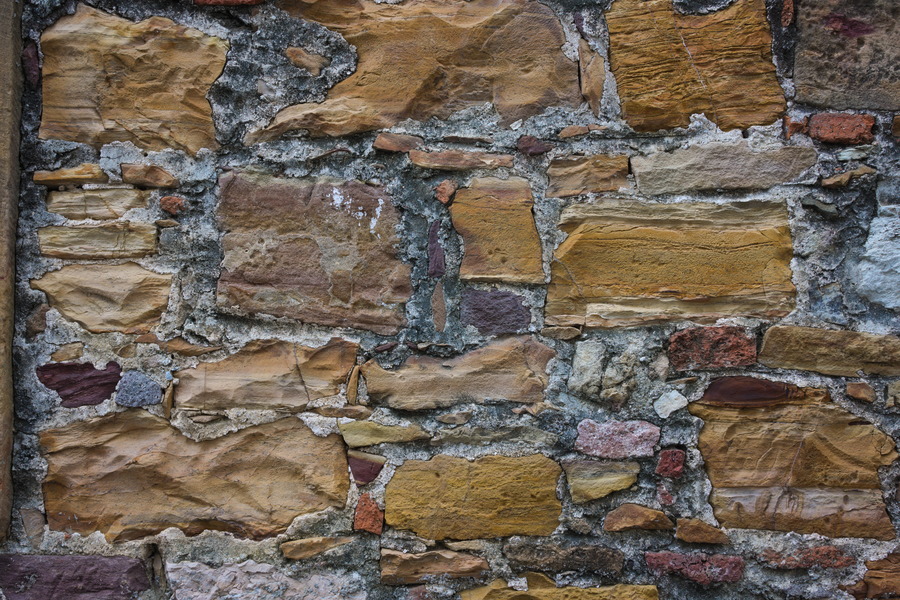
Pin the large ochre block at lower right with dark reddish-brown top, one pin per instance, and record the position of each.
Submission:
(802, 464)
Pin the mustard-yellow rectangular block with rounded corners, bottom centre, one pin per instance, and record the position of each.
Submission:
(493, 496)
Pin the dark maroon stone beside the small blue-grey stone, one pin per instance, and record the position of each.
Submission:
(80, 384)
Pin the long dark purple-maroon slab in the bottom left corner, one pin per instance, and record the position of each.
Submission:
(36, 577)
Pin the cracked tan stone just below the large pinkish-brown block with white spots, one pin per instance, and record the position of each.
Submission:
(268, 375)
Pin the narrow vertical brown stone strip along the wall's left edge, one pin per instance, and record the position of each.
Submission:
(10, 114)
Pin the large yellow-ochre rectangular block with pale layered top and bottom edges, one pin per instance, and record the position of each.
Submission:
(629, 263)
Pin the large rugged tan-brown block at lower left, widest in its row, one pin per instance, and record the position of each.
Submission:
(251, 483)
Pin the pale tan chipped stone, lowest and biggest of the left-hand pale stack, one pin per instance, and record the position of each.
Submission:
(104, 298)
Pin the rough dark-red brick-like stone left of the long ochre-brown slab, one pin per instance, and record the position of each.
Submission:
(711, 348)
